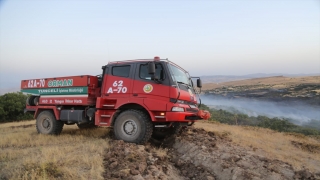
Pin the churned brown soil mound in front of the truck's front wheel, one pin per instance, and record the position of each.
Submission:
(194, 154)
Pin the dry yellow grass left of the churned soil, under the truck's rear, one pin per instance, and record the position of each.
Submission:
(75, 154)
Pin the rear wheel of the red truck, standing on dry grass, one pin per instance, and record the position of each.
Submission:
(47, 124)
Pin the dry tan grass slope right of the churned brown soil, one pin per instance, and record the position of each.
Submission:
(297, 150)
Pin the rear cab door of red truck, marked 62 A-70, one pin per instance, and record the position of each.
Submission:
(118, 81)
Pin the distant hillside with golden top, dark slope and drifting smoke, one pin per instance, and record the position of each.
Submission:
(293, 98)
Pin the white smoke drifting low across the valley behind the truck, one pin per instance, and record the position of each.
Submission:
(298, 112)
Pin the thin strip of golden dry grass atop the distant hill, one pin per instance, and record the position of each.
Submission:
(276, 82)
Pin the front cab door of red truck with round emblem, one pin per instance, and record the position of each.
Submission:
(155, 94)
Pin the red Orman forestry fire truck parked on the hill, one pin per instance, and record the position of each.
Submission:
(138, 98)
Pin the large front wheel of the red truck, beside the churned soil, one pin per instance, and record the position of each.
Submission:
(133, 126)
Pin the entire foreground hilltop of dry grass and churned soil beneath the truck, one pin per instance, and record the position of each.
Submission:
(206, 151)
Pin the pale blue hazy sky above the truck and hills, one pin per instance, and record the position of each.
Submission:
(58, 38)
